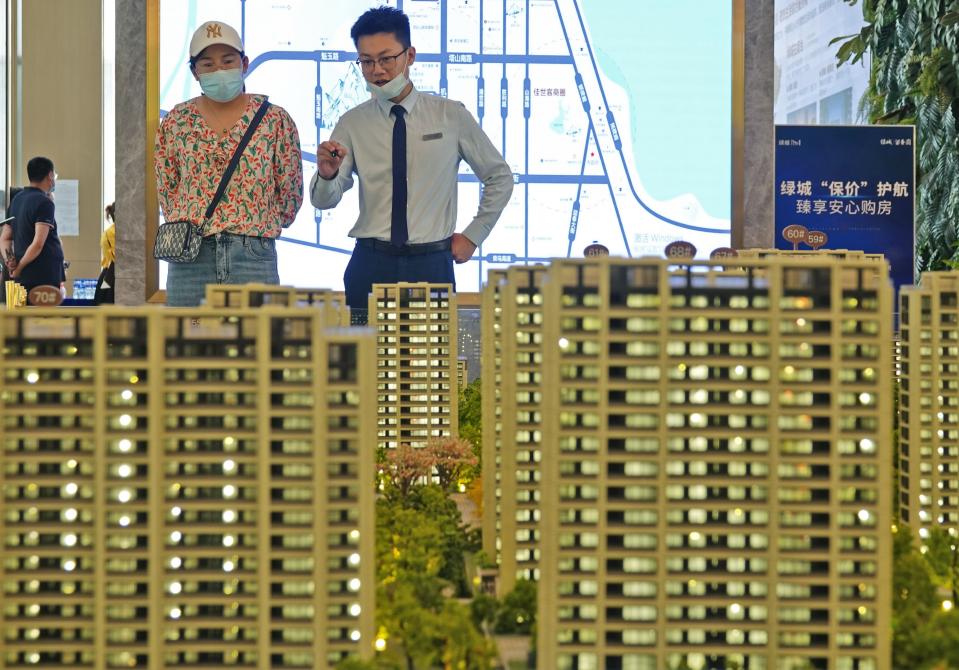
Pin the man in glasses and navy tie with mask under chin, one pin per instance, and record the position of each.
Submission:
(405, 146)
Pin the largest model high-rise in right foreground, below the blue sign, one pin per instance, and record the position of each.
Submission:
(714, 466)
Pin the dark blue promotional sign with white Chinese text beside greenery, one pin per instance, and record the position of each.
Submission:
(848, 187)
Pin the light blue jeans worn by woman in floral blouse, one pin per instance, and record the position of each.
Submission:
(224, 258)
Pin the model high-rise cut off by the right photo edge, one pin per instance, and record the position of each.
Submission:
(929, 403)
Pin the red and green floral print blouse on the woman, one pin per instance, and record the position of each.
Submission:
(266, 190)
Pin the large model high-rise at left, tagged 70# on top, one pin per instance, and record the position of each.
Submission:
(185, 488)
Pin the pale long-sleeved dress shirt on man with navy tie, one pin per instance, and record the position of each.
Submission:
(439, 133)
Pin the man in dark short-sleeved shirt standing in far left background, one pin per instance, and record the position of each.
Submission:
(38, 254)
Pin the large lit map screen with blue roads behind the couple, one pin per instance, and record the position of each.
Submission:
(615, 115)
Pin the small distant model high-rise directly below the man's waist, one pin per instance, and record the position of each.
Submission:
(416, 354)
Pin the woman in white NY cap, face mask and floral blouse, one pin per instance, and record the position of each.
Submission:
(194, 145)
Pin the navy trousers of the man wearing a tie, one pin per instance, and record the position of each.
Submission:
(370, 266)
